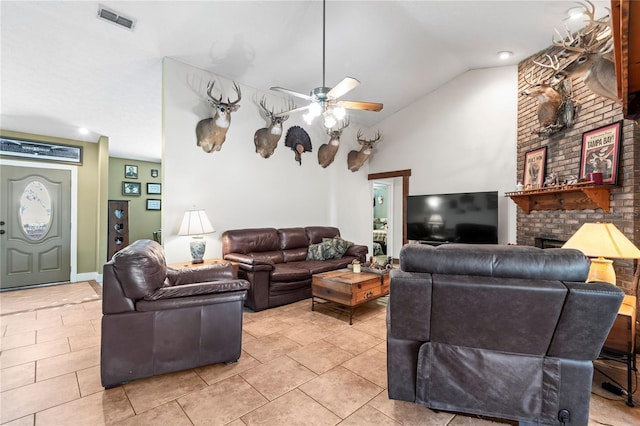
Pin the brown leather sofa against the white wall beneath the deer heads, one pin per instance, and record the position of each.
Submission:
(275, 261)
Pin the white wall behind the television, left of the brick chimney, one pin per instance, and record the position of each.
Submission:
(460, 138)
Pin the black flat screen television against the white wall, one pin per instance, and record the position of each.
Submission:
(470, 217)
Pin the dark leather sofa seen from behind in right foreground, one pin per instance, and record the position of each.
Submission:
(501, 331)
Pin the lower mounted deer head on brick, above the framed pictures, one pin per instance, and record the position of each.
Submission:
(549, 99)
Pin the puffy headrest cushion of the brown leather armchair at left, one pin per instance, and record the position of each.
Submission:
(140, 267)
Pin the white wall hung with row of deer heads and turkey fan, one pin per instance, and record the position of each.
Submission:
(236, 186)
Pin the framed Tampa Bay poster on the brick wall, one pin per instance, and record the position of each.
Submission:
(601, 151)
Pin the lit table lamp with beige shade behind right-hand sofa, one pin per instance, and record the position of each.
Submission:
(602, 242)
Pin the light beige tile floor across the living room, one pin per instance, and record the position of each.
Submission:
(297, 367)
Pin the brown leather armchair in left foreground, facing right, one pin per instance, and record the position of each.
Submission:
(158, 321)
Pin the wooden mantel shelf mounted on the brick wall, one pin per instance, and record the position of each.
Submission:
(565, 197)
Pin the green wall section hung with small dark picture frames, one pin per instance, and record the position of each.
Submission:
(142, 222)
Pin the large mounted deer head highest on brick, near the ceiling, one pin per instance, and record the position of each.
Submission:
(591, 57)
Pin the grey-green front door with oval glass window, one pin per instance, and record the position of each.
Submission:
(35, 226)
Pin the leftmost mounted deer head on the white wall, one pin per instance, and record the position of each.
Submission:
(211, 132)
